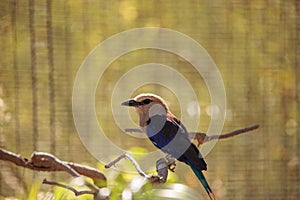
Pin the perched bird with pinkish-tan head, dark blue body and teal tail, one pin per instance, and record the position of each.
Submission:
(168, 133)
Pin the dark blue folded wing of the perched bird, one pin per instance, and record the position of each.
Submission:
(169, 136)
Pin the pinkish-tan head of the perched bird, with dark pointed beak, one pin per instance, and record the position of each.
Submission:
(148, 105)
